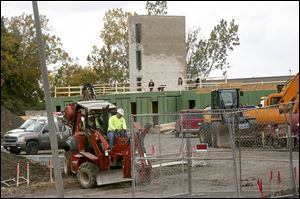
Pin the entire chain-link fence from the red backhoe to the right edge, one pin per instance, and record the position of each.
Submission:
(214, 154)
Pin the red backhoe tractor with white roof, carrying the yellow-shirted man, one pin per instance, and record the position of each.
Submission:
(88, 154)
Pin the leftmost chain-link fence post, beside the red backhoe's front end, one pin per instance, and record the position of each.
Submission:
(132, 148)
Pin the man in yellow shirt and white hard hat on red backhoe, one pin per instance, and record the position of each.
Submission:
(116, 124)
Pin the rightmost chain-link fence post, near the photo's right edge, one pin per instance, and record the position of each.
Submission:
(293, 185)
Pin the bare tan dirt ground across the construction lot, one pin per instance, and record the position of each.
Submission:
(212, 176)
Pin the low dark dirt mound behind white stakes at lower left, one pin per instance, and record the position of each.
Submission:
(9, 162)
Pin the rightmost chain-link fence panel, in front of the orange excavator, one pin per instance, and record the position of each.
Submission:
(268, 152)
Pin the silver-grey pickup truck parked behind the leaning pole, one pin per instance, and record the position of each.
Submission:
(37, 137)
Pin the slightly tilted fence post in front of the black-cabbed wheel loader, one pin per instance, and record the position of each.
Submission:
(231, 129)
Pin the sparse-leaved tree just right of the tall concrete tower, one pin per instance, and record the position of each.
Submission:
(206, 55)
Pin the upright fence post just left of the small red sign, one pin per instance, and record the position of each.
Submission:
(188, 146)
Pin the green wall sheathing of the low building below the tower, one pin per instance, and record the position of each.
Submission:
(168, 101)
